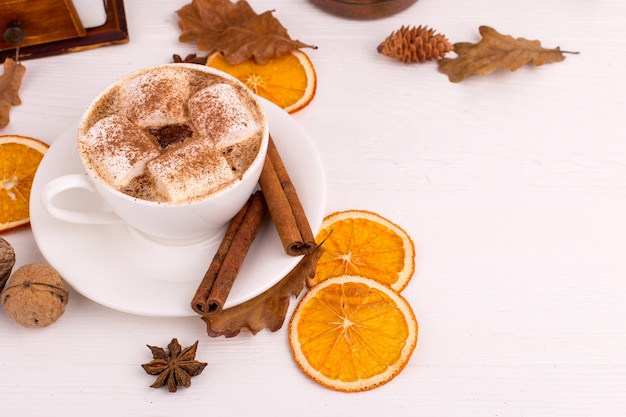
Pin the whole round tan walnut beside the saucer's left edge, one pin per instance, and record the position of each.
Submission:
(34, 296)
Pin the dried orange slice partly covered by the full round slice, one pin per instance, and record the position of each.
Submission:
(359, 242)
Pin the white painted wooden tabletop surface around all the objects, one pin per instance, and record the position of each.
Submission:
(512, 186)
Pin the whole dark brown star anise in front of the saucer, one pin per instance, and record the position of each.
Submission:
(174, 367)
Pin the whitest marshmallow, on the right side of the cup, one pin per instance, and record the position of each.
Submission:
(218, 112)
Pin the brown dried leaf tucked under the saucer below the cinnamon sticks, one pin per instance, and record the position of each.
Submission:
(267, 310)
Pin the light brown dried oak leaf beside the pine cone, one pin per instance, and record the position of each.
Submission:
(495, 51)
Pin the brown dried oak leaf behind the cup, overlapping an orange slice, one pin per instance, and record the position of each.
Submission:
(235, 30)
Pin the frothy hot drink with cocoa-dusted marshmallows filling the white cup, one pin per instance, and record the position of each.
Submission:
(174, 134)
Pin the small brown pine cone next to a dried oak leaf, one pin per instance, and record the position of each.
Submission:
(417, 44)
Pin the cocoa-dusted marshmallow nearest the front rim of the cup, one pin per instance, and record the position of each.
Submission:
(190, 170)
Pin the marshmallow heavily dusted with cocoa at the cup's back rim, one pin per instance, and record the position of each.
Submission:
(155, 99)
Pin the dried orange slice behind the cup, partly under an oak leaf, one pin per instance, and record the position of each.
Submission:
(289, 81)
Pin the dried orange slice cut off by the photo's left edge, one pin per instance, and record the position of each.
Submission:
(19, 158)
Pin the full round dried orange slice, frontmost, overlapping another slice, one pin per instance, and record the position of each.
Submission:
(352, 333)
